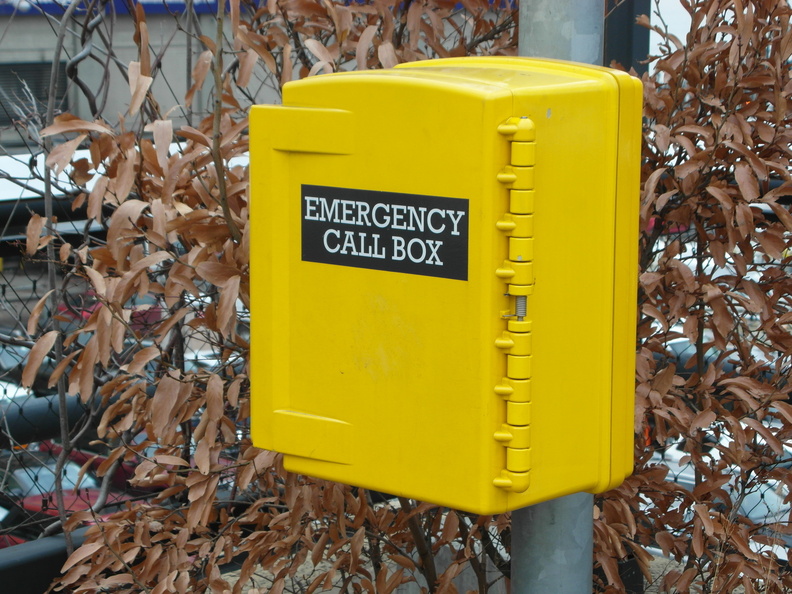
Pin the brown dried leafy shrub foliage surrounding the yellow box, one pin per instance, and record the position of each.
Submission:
(713, 340)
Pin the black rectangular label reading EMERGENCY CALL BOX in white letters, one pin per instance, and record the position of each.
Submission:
(426, 235)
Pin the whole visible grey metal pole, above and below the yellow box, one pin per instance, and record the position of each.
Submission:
(552, 543)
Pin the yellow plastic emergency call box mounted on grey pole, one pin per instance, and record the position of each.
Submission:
(443, 279)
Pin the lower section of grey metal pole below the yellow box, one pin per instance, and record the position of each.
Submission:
(552, 546)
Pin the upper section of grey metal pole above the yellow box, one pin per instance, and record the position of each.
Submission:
(562, 29)
